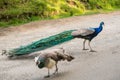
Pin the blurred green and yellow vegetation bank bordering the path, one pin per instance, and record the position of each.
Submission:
(14, 12)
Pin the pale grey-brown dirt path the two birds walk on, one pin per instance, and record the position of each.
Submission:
(102, 65)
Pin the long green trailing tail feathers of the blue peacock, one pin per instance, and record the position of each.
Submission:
(42, 44)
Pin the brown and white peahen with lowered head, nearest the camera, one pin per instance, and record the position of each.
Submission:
(50, 58)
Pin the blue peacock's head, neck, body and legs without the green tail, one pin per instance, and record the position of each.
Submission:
(88, 34)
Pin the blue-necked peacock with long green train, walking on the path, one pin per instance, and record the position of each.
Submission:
(86, 34)
